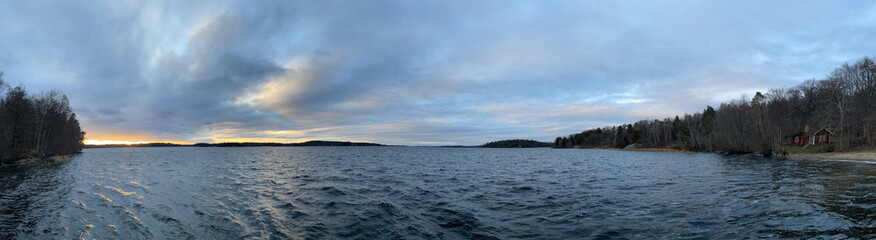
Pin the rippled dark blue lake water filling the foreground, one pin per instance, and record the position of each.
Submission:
(433, 193)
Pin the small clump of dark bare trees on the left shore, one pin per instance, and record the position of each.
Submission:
(35, 126)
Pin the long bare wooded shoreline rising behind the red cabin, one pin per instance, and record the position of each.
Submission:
(844, 102)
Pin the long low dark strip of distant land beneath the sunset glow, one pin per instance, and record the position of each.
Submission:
(317, 143)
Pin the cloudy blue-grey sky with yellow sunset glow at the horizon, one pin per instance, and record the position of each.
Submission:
(413, 72)
